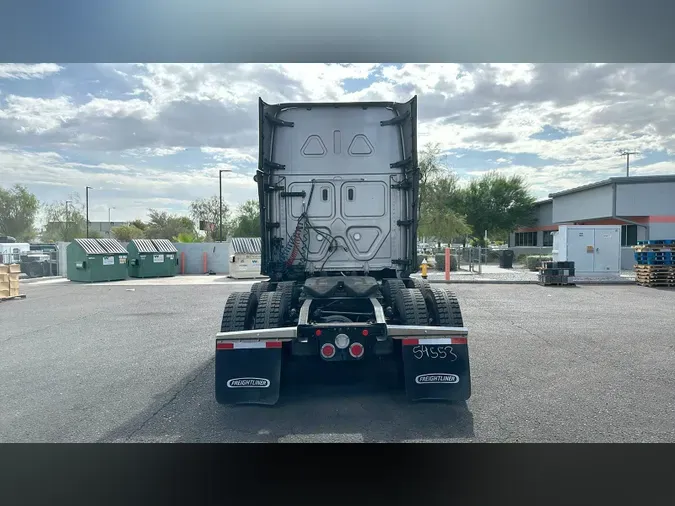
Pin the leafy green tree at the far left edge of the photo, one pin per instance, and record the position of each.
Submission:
(18, 209)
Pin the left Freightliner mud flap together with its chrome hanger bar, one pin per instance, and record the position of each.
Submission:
(248, 365)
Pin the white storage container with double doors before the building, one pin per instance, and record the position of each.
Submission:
(594, 249)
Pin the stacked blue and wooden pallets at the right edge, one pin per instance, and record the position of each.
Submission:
(655, 263)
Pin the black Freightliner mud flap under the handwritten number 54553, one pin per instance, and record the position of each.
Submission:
(437, 369)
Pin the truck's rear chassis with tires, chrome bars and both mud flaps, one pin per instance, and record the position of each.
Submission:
(408, 321)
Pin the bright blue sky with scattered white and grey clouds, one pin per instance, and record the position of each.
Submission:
(156, 135)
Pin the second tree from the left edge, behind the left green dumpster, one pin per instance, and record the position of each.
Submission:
(65, 220)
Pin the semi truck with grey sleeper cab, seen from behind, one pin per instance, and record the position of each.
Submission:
(338, 189)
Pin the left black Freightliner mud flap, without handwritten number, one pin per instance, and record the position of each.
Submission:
(248, 373)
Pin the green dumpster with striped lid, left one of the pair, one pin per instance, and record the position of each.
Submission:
(93, 260)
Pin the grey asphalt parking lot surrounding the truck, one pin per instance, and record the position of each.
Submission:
(89, 363)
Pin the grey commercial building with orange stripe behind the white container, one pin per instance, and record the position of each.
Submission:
(644, 207)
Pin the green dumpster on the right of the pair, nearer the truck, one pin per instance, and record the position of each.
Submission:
(152, 258)
